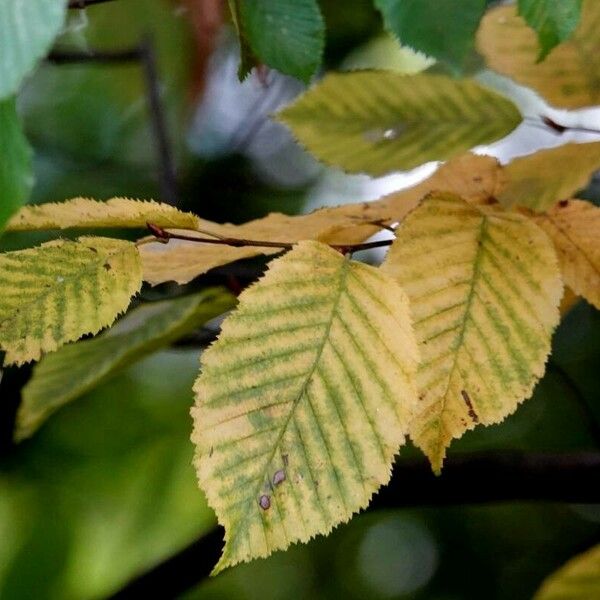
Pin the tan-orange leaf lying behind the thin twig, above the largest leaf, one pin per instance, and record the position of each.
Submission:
(181, 261)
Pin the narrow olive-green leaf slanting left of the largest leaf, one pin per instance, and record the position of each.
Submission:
(66, 374)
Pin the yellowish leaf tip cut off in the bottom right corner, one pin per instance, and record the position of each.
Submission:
(579, 579)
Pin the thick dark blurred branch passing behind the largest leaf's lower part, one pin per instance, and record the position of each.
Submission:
(466, 479)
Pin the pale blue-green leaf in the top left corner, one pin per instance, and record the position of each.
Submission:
(28, 30)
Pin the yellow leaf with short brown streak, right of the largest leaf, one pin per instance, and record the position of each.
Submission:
(484, 288)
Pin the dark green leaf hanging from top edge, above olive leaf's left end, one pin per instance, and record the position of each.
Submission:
(287, 35)
